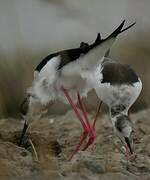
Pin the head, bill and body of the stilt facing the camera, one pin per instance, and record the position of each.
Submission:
(118, 86)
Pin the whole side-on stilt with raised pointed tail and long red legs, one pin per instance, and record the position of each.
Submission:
(63, 76)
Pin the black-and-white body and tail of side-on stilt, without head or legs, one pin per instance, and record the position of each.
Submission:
(69, 68)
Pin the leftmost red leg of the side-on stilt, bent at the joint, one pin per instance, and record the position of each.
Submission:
(84, 125)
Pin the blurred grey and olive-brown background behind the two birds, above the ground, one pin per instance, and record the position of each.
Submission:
(31, 29)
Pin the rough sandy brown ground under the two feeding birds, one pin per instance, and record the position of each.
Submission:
(55, 138)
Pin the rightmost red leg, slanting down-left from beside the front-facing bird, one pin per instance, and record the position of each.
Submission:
(92, 138)
